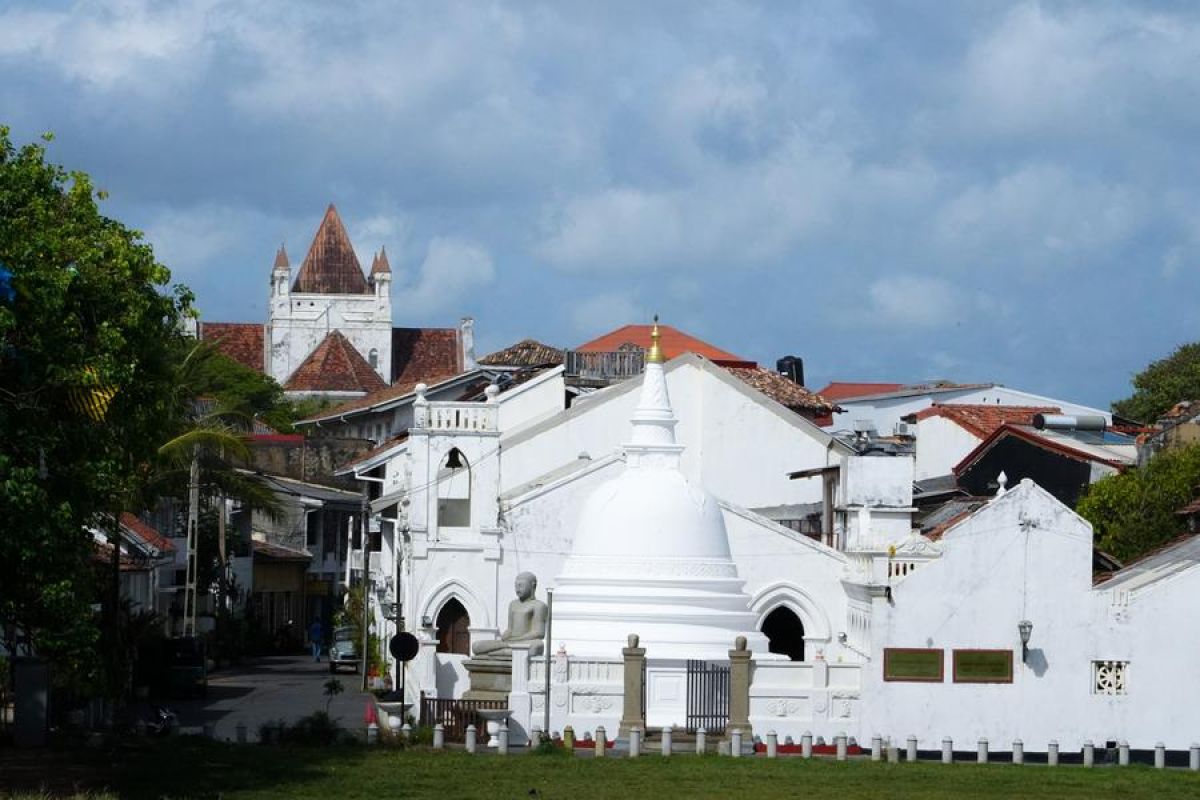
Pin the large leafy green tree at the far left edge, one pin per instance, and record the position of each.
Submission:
(89, 330)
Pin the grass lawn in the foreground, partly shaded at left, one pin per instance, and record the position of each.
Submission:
(190, 768)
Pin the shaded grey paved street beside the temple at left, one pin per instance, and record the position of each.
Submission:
(280, 688)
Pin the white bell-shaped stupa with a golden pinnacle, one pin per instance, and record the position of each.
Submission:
(651, 556)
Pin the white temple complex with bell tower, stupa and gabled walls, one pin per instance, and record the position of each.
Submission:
(643, 509)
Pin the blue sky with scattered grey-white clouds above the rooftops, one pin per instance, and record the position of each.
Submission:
(895, 191)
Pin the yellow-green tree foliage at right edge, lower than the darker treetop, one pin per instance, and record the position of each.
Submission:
(1135, 513)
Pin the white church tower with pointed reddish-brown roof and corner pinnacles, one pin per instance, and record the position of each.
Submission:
(331, 332)
